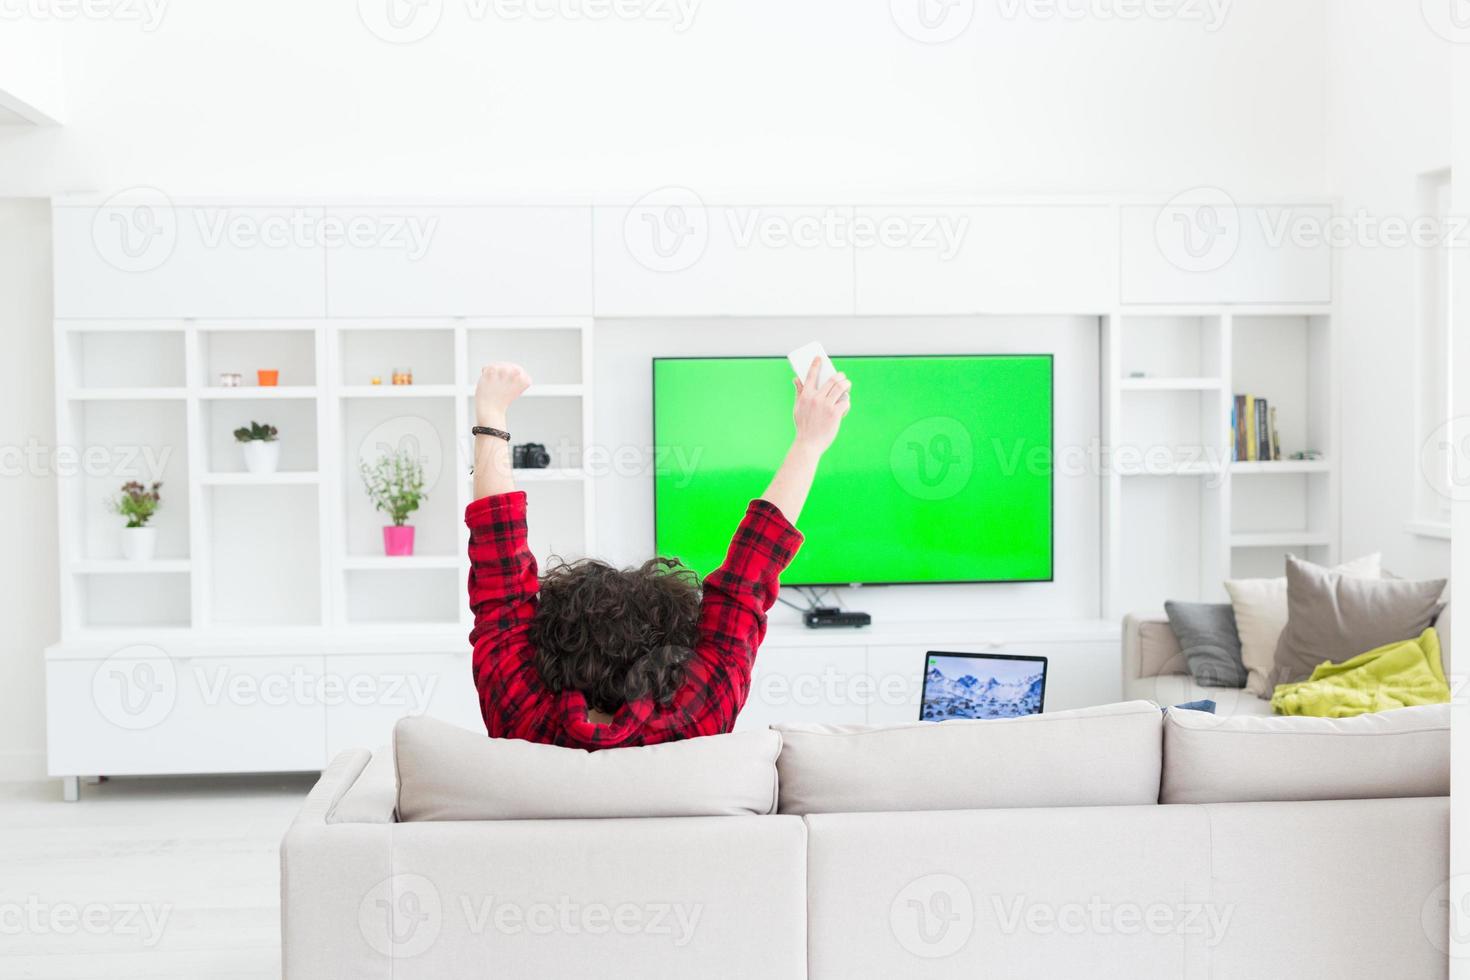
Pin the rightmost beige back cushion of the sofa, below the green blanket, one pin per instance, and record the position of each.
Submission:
(1244, 759)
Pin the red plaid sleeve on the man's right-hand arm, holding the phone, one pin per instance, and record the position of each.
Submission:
(733, 624)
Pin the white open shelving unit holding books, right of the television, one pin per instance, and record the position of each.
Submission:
(1180, 515)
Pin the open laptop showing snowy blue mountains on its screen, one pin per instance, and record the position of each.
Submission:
(981, 687)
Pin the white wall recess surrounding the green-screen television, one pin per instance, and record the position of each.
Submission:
(625, 500)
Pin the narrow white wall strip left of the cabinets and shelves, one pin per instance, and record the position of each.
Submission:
(32, 615)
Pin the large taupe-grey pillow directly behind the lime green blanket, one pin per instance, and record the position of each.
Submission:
(1335, 618)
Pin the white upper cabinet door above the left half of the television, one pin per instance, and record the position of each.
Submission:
(680, 258)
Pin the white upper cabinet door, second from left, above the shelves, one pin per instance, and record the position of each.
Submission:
(464, 262)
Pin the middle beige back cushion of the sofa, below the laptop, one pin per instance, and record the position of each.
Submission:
(1091, 757)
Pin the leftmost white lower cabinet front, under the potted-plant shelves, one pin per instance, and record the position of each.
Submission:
(145, 712)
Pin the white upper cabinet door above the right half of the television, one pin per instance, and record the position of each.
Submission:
(987, 259)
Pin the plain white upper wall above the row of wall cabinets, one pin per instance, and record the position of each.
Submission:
(756, 98)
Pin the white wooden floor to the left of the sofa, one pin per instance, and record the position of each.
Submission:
(145, 878)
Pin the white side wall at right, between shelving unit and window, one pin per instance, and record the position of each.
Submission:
(1390, 111)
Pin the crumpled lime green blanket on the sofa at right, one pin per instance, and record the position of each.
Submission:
(1394, 677)
